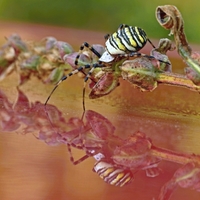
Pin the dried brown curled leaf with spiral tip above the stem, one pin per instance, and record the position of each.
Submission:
(169, 17)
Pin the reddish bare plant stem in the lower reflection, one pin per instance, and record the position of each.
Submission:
(173, 156)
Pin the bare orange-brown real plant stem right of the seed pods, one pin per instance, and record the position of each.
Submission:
(177, 80)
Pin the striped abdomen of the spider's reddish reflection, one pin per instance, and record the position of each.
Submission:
(112, 174)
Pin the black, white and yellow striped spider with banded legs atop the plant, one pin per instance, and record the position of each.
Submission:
(121, 45)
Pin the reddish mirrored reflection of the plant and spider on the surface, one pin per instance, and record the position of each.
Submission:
(117, 159)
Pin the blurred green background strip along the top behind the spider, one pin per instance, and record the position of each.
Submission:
(101, 15)
